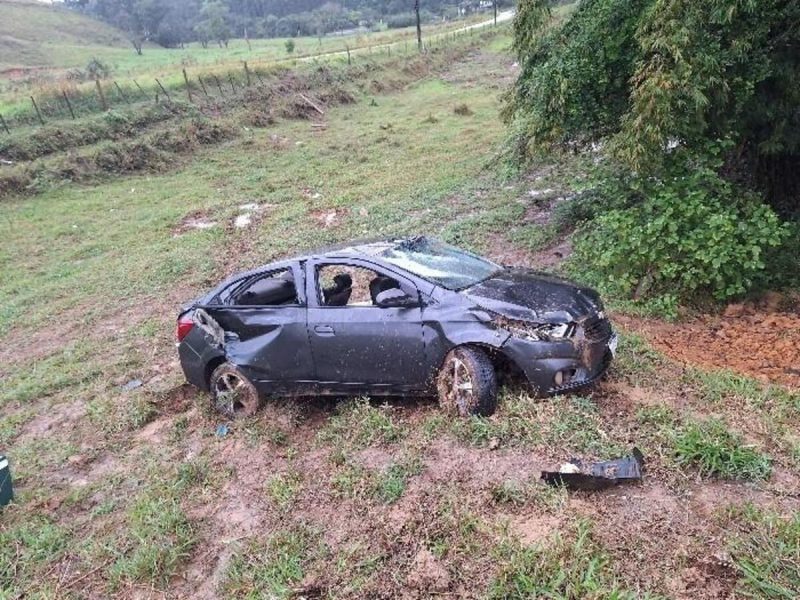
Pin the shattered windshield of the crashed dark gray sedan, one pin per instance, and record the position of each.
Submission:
(439, 263)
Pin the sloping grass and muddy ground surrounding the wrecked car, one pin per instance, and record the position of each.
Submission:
(131, 493)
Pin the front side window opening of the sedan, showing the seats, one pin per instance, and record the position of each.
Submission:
(345, 285)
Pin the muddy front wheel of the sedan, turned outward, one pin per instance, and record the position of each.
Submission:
(467, 384)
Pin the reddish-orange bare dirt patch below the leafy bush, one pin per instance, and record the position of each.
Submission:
(759, 342)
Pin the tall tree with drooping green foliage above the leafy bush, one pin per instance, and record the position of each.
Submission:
(655, 74)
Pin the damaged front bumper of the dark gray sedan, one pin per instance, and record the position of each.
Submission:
(563, 366)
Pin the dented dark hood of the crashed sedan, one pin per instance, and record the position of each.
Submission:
(533, 296)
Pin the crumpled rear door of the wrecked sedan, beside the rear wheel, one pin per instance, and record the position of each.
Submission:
(265, 328)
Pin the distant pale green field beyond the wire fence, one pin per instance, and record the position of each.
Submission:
(39, 44)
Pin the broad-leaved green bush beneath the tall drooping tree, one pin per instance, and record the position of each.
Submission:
(690, 237)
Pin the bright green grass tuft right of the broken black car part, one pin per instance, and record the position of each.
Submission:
(715, 451)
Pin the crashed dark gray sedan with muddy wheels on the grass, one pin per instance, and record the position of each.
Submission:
(410, 316)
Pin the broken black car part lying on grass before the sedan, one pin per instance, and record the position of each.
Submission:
(577, 475)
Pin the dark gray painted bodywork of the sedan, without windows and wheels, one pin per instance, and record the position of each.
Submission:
(309, 348)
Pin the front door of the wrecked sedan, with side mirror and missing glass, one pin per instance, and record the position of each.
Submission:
(359, 343)
